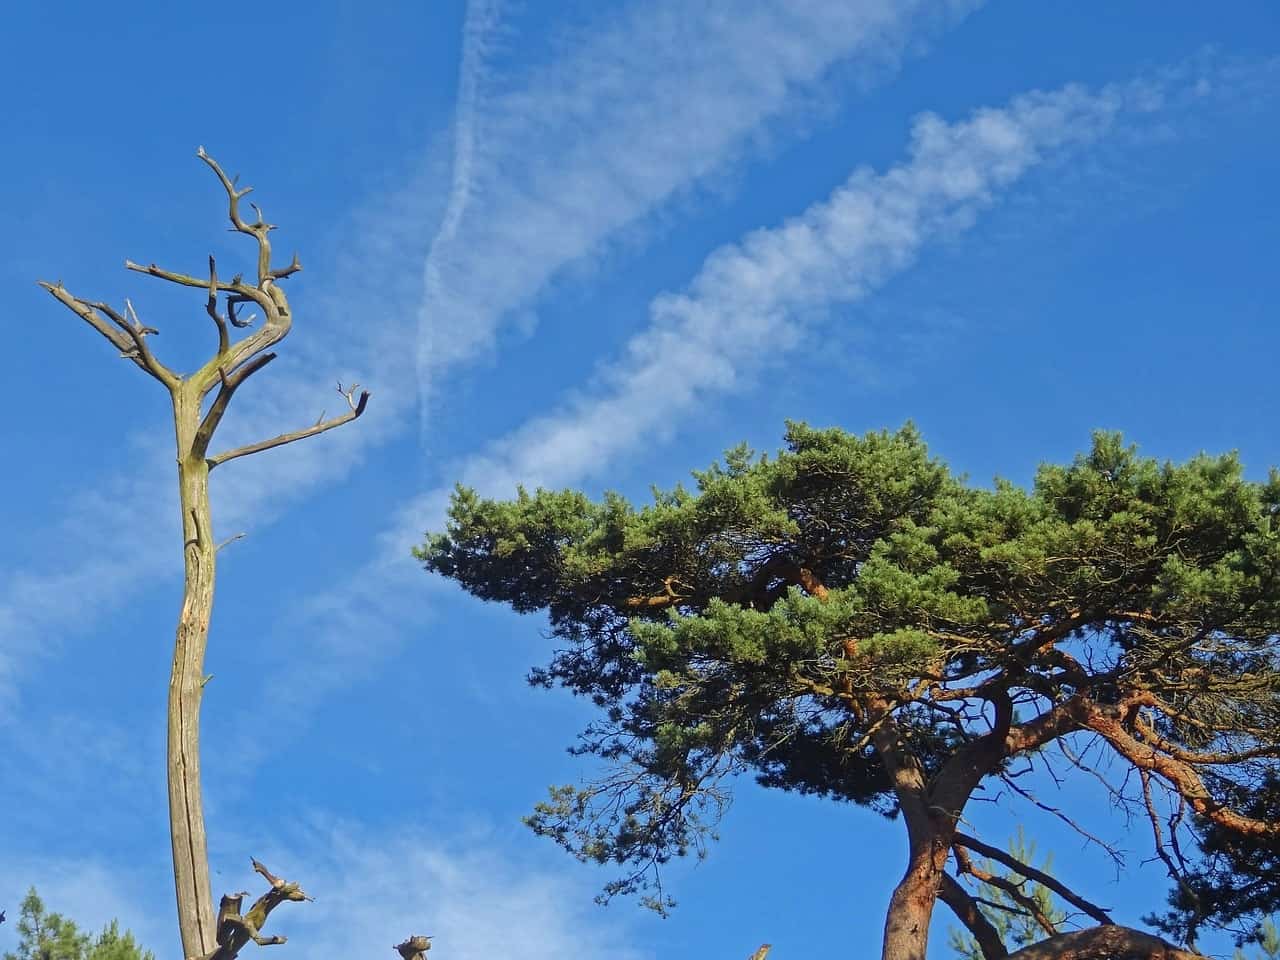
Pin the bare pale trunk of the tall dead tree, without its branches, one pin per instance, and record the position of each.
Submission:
(186, 689)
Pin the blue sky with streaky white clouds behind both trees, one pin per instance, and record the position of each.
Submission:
(569, 244)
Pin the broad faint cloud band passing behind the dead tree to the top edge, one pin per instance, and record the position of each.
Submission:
(545, 172)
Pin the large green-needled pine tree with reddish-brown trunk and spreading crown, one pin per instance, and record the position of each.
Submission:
(849, 619)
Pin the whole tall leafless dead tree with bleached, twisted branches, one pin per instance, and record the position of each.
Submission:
(236, 360)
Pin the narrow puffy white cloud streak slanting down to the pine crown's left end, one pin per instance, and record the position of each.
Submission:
(748, 307)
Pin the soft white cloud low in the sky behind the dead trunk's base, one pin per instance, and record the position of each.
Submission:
(478, 898)
